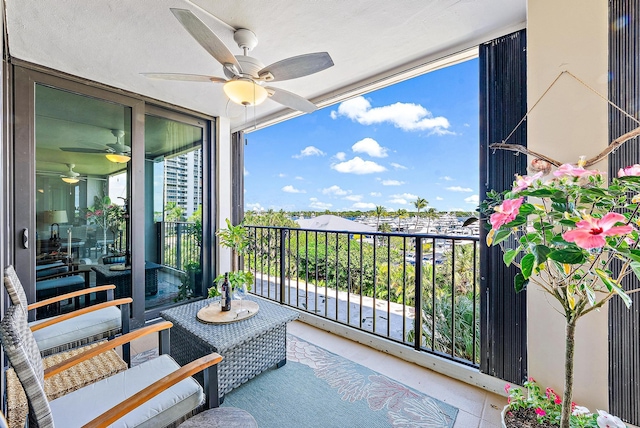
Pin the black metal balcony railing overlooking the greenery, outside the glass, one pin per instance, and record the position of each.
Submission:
(390, 285)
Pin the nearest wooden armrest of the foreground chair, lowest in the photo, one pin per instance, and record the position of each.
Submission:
(188, 370)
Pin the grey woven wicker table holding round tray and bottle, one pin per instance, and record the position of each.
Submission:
(249, 347)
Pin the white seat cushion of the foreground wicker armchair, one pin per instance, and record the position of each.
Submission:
(83, 405)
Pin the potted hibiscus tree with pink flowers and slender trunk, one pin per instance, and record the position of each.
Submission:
(574, 237)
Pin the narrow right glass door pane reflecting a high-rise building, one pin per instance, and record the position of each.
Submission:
(173, 217)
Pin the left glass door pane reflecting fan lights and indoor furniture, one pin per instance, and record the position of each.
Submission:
(82, 155)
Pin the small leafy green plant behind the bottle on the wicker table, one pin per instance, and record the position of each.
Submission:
(235, 238)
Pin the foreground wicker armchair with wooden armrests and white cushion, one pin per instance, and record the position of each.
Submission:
(156, 393)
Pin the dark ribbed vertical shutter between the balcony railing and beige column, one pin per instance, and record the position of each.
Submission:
(503, 102)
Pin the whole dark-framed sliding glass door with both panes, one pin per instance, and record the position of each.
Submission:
(113, 188)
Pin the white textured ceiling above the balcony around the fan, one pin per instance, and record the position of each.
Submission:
(113, 41)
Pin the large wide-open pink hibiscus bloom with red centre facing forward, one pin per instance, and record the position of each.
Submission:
(590, 232)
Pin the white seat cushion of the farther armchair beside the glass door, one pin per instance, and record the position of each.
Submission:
(79, 330)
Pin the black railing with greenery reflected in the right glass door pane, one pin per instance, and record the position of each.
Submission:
(178, 244)
